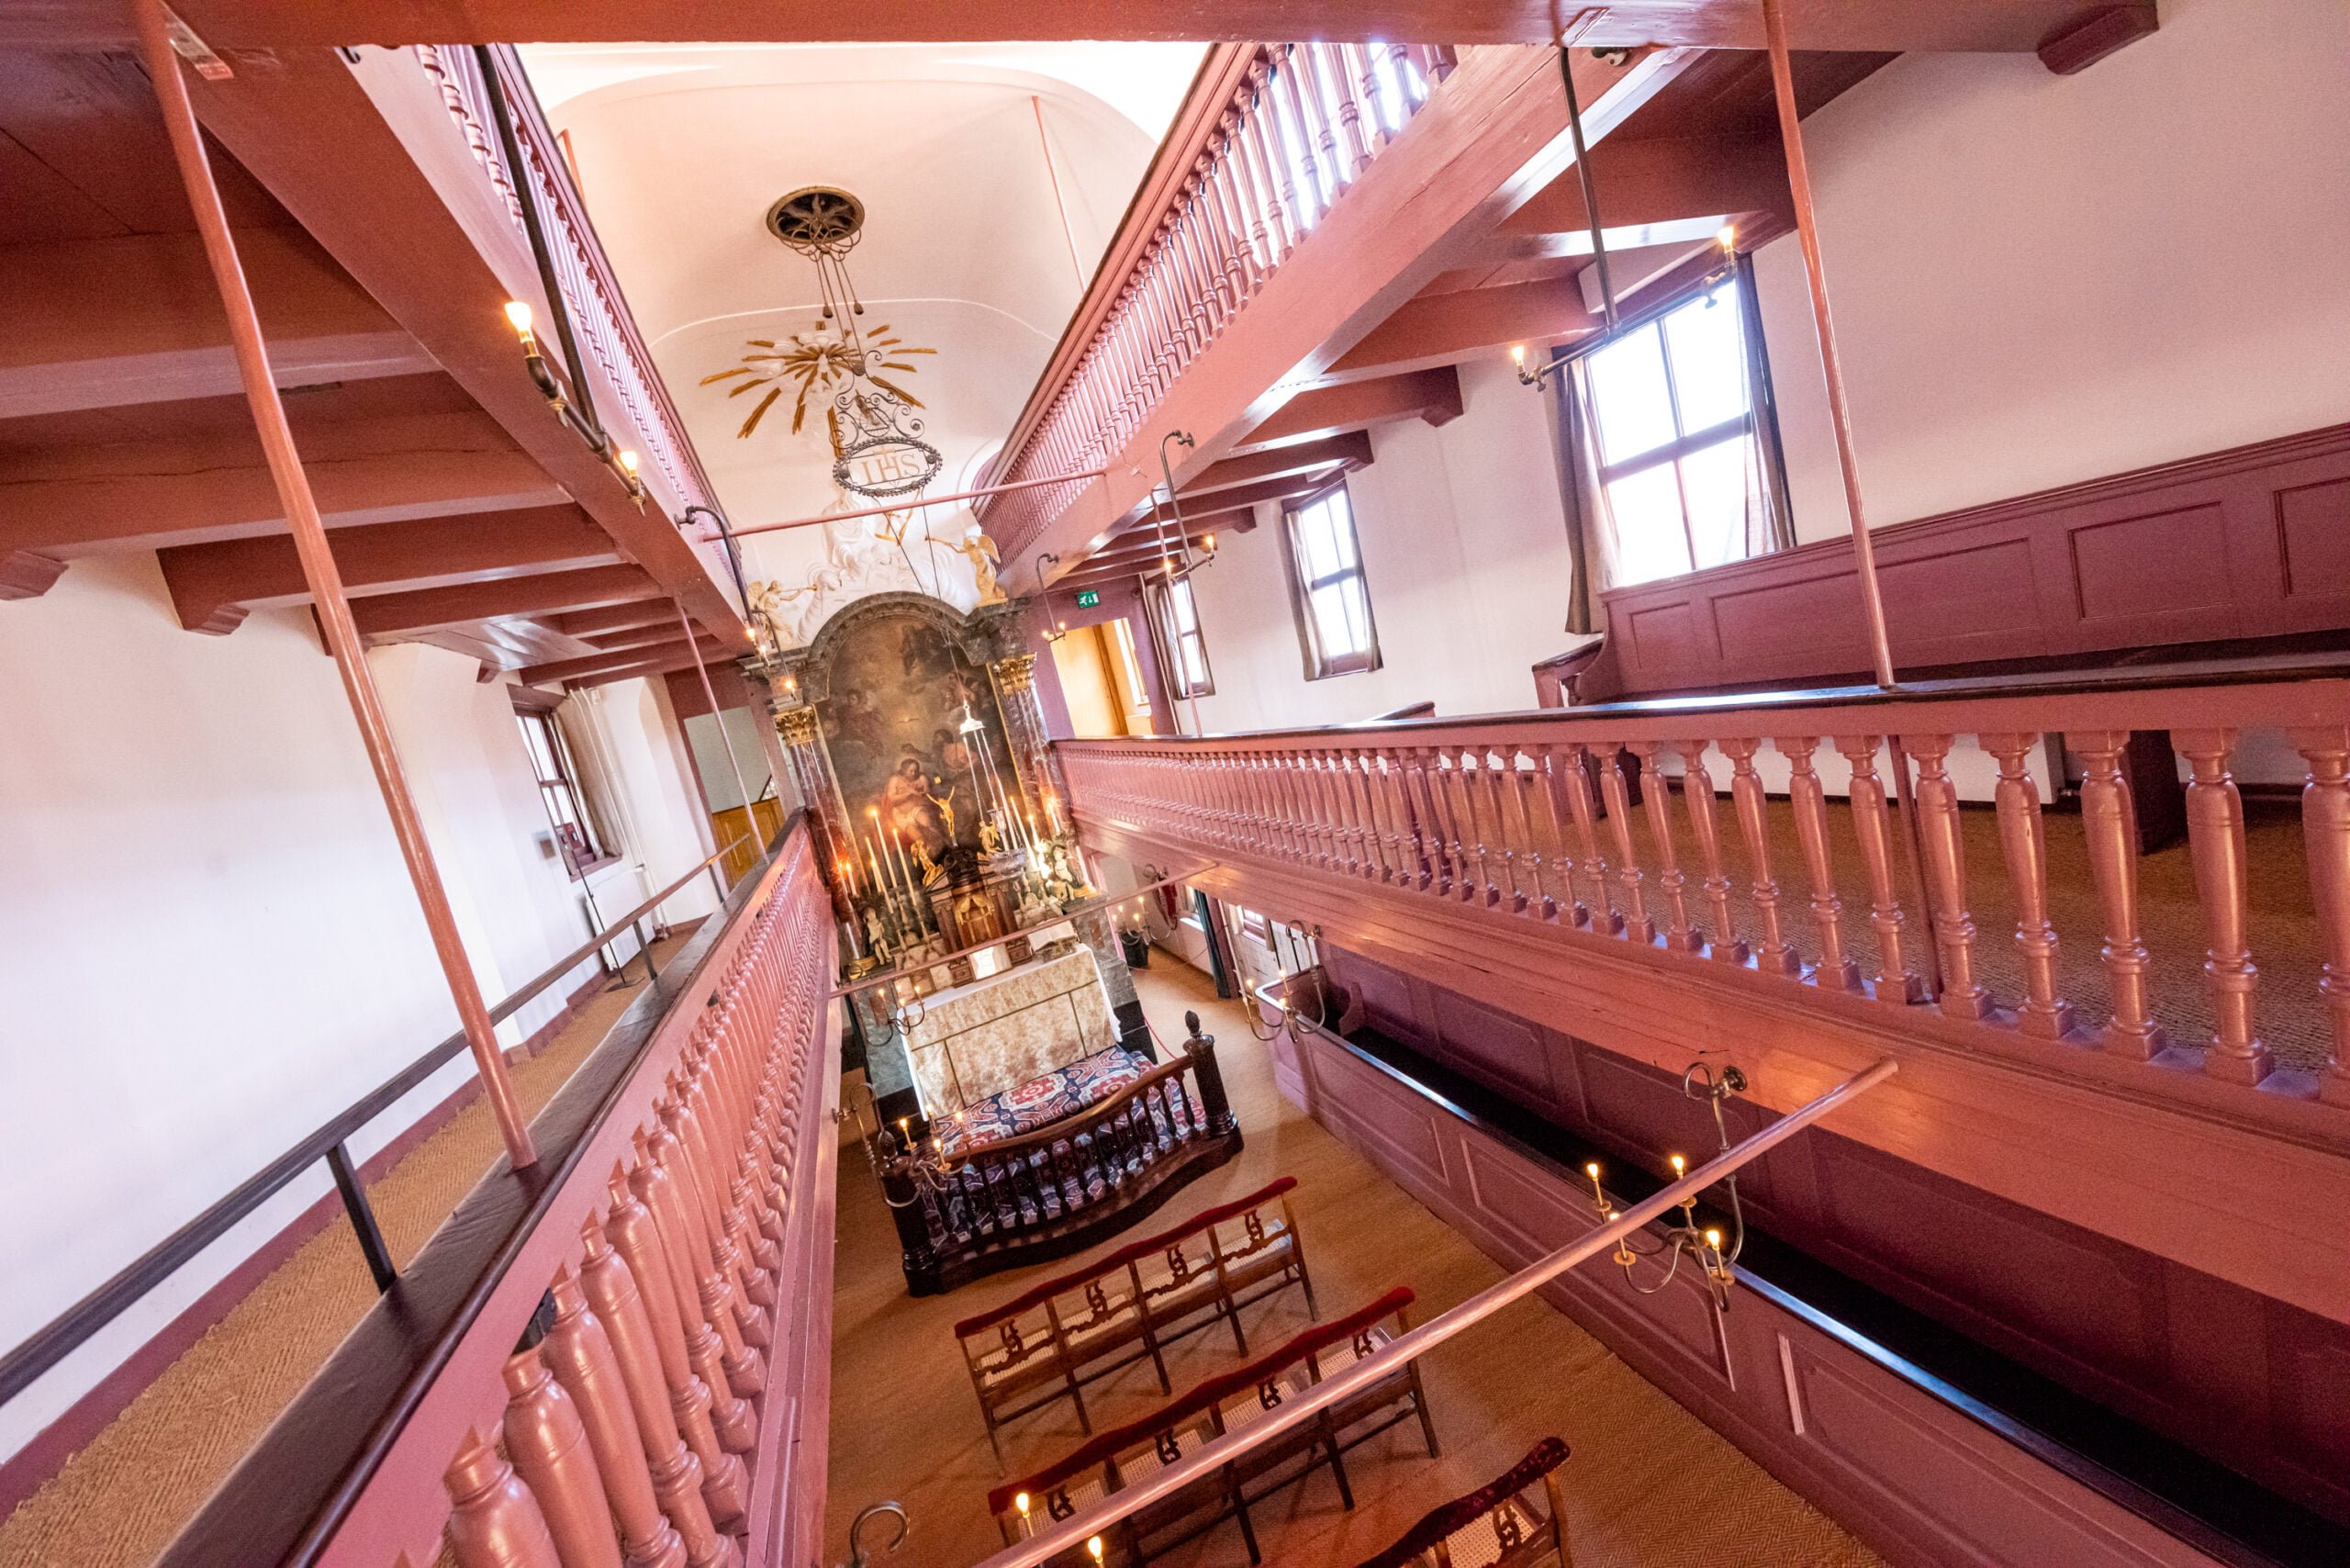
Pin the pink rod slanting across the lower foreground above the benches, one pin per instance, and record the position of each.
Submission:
(1207, 1461)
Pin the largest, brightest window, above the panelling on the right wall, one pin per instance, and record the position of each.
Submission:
(1672, 441)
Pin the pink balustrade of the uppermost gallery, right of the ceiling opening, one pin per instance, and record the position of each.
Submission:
(1270, 140)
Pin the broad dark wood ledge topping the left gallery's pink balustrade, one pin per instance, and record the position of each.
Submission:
(295, 1489)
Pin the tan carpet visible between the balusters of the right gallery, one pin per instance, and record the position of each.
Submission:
(2283, 927)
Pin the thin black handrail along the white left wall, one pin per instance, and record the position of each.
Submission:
(65, 1334)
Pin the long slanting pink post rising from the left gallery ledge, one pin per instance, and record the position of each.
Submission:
(323, 577)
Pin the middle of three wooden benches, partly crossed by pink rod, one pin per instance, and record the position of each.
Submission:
(1106, 1463)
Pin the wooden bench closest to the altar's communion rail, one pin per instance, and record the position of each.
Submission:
(1129, 1306)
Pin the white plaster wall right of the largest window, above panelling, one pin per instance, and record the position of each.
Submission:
(2043, 279)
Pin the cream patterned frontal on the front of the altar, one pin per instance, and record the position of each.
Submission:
(998, 1036)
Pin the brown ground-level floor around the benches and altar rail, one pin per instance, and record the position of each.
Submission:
(1649, 1487)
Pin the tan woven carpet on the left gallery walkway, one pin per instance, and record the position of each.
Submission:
(123, 1499)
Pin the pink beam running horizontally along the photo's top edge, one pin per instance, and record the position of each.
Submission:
(1999, 27)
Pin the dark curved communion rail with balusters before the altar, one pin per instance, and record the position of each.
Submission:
(1066, 1186)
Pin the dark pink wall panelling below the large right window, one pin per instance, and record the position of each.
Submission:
(2236, 544)
